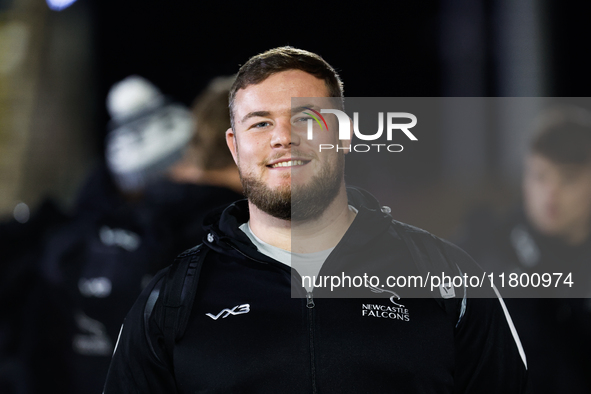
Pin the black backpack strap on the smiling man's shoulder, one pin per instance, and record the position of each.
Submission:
(179, 294)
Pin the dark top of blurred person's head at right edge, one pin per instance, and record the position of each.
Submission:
(563, 135)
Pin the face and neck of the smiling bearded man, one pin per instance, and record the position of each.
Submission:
(285, 178)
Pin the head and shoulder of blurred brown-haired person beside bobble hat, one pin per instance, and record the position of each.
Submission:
(207, 176)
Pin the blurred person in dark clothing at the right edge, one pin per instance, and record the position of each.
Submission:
(550, 232)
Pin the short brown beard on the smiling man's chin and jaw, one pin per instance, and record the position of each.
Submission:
(297, 203)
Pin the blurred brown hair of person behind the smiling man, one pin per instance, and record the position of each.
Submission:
(210, 110)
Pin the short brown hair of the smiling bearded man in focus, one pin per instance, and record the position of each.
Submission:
(262, 66)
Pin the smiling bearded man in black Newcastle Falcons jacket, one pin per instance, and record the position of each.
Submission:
(231, 316)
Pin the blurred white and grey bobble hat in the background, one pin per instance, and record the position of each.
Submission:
(148, 134)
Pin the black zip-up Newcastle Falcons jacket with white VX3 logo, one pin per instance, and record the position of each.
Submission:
(247, 334)
